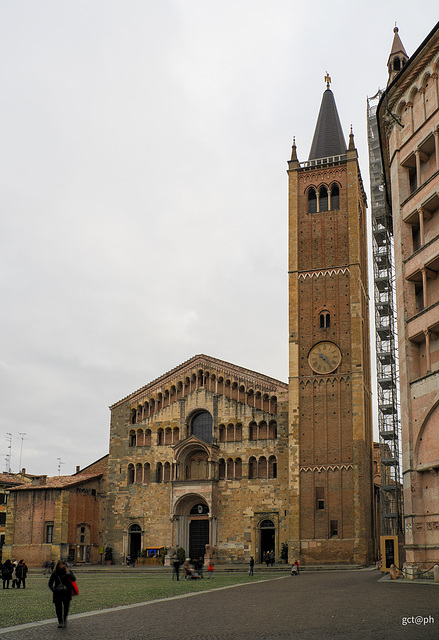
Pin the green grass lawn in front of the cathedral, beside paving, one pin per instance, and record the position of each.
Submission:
(100, 591)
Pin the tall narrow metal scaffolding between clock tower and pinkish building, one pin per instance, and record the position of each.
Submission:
(386, 335)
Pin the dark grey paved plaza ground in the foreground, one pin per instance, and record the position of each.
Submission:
(345, 604)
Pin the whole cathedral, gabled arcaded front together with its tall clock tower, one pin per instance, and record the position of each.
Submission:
(224, 461)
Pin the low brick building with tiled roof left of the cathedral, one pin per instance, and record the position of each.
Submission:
(59, 517)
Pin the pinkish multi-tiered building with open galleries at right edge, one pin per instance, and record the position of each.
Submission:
(408, 117)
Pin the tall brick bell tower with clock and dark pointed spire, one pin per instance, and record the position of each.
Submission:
(330, 421)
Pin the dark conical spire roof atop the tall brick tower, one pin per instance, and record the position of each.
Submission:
(328, 137)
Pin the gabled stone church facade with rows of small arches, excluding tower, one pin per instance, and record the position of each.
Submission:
(200, 456)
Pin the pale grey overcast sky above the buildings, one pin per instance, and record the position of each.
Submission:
(143, 191)
